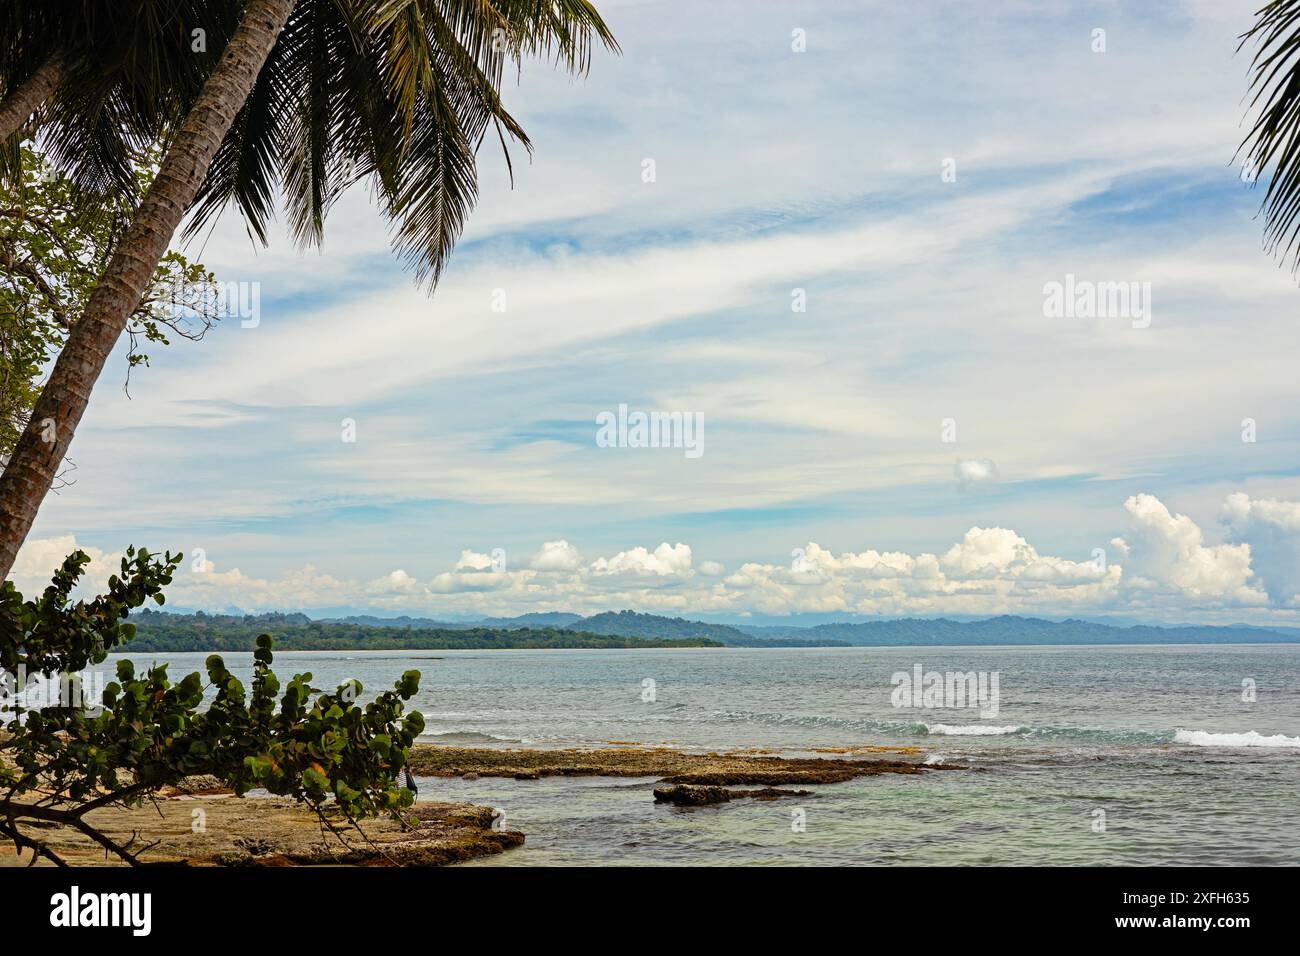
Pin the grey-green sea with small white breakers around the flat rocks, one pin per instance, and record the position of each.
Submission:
(1095, 756)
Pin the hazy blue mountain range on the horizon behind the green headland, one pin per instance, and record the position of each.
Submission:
(632, 626)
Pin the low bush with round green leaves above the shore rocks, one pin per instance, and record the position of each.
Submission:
(59, 763)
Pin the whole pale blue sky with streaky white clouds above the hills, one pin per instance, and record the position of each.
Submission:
(829, 235)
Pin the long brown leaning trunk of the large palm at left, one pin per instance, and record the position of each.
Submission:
(44, 445)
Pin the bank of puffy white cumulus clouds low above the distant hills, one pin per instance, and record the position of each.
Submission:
(1162, 566)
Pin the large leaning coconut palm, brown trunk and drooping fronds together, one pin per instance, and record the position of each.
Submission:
(307, 98)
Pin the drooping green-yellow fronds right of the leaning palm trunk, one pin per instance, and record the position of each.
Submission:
(401, 92)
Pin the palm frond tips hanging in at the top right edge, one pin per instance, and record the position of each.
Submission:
(1275, 139)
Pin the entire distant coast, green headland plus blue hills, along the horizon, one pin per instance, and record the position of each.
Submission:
(170, 633)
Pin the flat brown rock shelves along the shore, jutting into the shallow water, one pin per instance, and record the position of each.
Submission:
(201, 825)
